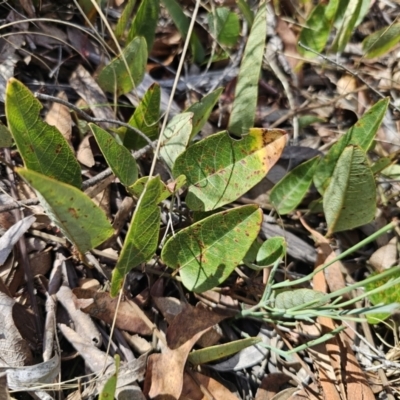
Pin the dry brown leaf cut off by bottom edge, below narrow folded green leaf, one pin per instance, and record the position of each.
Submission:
(195, 384)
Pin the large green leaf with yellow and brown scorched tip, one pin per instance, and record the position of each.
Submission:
(220, 169)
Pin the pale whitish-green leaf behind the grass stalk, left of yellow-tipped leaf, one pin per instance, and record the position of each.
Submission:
(175, 137)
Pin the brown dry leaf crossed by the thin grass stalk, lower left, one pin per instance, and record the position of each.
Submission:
(103, 307)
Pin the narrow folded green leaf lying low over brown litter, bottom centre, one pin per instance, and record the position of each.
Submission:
(217, 352)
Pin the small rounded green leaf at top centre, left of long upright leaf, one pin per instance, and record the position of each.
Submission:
(224, 26)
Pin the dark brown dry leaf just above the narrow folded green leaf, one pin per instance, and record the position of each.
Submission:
(189, 322)
